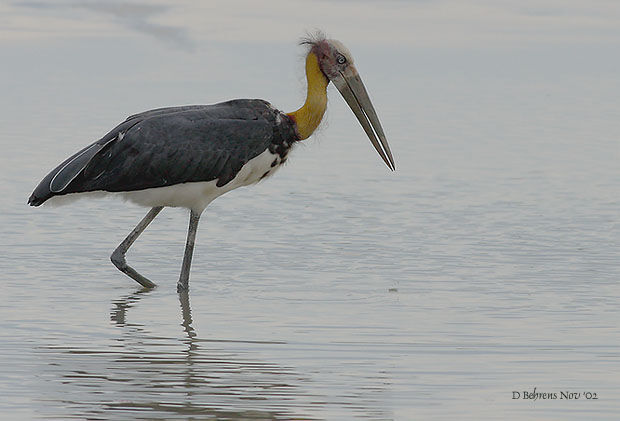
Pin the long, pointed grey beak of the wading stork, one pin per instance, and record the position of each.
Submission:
(354, 92)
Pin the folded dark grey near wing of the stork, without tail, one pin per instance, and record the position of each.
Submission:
(176, 149)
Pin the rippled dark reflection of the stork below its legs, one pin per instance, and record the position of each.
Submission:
(142, 375)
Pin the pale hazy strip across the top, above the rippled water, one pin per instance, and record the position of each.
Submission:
(425, 23)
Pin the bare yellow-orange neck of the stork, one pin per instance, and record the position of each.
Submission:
(309, 116)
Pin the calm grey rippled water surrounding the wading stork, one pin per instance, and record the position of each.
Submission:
(488, 264)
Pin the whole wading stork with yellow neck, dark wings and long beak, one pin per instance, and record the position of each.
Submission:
(187, 156)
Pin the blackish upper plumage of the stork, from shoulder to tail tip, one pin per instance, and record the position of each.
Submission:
(174, 145)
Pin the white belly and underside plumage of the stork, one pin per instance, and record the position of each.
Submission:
(195, 195)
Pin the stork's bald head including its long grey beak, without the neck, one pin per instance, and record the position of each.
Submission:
(336, 63)
